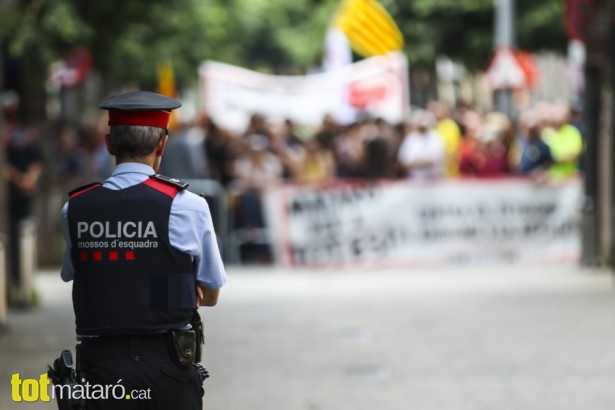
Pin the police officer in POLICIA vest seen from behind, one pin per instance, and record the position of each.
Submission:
(142, 254)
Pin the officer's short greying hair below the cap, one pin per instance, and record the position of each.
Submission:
(134, 141)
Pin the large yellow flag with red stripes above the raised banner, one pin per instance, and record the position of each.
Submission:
(370, 29)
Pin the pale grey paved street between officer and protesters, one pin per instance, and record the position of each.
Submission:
(516, 337)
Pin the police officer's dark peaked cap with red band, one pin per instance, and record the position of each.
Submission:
(140, 108)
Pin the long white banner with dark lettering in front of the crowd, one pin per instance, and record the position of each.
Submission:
(403, 223)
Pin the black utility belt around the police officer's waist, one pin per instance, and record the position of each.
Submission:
(180, 344)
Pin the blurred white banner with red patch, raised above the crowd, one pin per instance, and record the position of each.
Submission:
(376, 85)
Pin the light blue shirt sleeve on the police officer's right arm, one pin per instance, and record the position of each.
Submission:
(191, 230)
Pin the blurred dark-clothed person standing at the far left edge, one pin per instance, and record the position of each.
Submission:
(23, 166)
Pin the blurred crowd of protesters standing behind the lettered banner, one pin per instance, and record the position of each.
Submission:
(433, 143)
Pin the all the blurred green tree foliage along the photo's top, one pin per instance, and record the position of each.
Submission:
(128, 38)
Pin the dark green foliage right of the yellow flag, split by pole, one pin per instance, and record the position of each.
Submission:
(464, 29)
